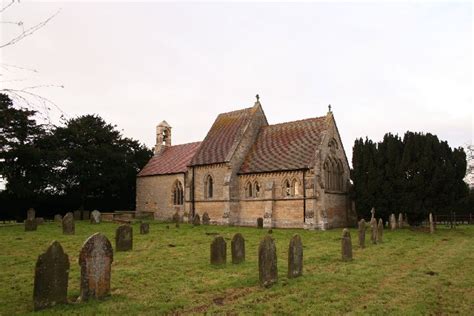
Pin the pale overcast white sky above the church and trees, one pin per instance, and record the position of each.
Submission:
(383, 67)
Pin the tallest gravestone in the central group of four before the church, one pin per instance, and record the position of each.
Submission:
(267, 262)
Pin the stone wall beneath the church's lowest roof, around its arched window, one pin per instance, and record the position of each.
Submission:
(155, 194)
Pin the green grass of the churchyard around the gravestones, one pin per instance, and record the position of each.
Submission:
(411, 273)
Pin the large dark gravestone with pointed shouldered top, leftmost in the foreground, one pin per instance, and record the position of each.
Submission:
(51, 277)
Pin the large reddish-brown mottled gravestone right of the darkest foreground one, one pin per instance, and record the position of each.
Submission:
(95, 260)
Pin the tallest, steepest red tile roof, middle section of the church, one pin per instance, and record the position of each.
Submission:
(222, 138)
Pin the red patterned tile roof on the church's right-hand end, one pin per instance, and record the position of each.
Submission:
(285, 146)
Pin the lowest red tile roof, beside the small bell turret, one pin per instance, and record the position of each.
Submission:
(173, 159)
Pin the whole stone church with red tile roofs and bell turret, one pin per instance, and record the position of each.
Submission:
(292, 174)
